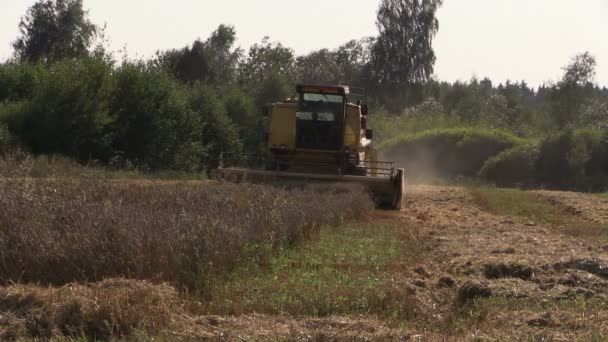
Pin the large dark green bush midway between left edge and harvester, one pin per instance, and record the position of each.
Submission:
(153, 123)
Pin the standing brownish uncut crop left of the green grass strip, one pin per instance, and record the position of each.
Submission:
(60, 231)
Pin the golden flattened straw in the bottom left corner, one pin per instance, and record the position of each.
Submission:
(110, 309)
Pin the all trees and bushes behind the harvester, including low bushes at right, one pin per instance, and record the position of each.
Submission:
(64, 92)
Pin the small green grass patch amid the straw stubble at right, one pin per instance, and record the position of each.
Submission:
(520, 204)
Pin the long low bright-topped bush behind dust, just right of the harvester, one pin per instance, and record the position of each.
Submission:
(448, 152)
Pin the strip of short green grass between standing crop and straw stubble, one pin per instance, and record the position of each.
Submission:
(347, 271)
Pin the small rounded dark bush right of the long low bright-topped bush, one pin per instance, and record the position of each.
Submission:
(513, 167)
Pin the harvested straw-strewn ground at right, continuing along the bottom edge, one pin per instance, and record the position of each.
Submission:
(544, 280)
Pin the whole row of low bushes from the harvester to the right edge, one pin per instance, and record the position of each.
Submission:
(568, 160)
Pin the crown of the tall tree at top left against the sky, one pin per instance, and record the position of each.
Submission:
(53, 30)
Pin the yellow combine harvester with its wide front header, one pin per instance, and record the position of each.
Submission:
(319, 136)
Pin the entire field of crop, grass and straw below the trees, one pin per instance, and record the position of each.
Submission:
(455, 264)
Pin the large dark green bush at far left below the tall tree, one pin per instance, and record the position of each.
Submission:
(68, 110)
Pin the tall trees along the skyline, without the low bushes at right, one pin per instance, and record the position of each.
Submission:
(65, 93)
